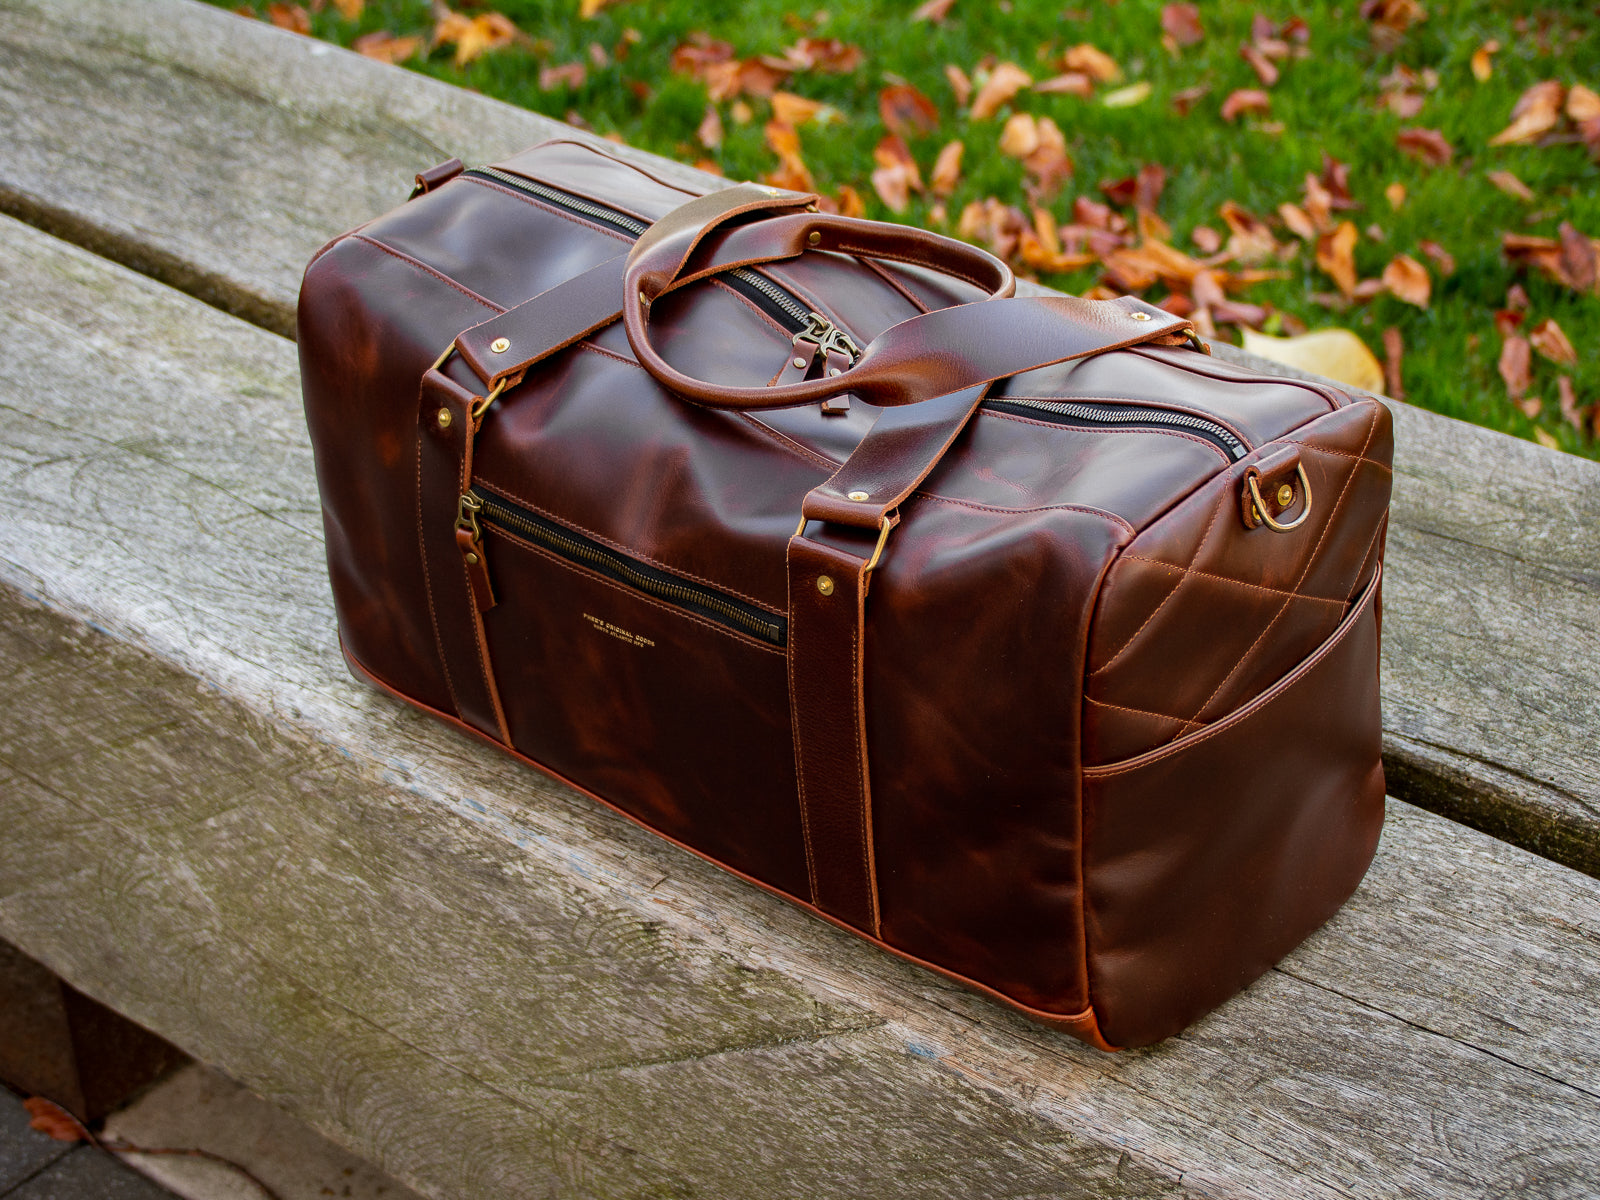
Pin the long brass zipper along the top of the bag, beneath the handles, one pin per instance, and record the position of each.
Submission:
(812, 327)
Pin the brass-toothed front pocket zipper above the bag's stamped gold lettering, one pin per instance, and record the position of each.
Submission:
(490, 511)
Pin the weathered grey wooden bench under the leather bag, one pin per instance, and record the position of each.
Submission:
(490, 986)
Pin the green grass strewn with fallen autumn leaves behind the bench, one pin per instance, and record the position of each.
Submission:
(1326, 103)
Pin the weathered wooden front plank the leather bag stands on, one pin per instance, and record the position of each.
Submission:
(490, 986)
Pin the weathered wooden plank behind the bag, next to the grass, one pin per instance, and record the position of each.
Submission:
(218, 154)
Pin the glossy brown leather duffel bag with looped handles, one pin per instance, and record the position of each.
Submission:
(1018, 636)
